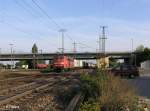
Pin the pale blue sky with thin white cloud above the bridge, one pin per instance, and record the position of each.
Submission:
(22, 23)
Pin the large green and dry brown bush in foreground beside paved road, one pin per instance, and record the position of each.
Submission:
(110, 93)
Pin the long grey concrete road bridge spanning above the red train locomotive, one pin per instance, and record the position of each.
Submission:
(50, 56)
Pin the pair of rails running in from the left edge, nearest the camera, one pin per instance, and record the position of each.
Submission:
(26, 91)
